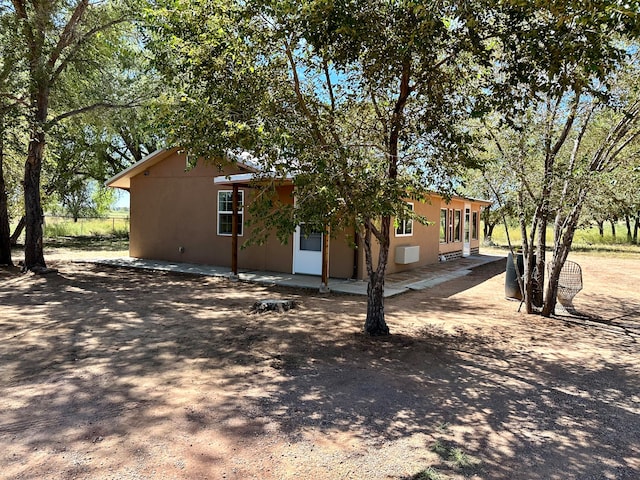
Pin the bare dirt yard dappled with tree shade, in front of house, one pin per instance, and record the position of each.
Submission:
(119, 374)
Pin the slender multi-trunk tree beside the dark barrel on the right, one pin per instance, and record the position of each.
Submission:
(570, 52)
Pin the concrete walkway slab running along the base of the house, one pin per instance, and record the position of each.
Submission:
(395, 284)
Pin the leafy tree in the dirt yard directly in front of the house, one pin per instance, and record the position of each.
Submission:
(359, 102)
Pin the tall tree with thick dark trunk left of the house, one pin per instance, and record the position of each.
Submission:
(64, 45)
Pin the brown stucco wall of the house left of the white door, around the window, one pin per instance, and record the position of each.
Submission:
(174, 218)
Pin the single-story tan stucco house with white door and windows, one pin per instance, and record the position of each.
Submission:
(184, 214)
